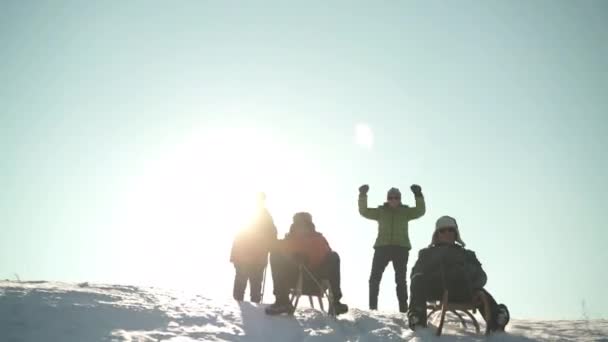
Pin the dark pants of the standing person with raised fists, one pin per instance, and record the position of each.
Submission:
(382, 256)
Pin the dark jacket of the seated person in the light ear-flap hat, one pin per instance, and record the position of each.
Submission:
(454, 260)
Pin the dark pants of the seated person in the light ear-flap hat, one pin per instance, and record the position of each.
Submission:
(427, 288)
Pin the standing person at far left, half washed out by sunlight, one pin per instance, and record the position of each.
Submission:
(249, 253)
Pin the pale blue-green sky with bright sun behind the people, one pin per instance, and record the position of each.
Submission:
(135, 134)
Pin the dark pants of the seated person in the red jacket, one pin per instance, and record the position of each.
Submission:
(285, 275)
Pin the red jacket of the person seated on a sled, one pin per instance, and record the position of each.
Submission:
(312, 245)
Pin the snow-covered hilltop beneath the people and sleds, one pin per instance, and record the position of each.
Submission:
(41, 311)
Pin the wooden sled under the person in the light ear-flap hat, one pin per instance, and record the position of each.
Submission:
(459, 309)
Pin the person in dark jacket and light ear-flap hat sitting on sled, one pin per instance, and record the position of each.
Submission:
(446, 264)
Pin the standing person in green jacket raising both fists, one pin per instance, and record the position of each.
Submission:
(393, 242)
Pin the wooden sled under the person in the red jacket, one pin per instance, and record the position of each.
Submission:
(308, 285)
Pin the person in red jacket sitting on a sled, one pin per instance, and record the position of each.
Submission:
(303, 246)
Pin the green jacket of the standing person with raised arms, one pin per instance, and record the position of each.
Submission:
(392, 222)
